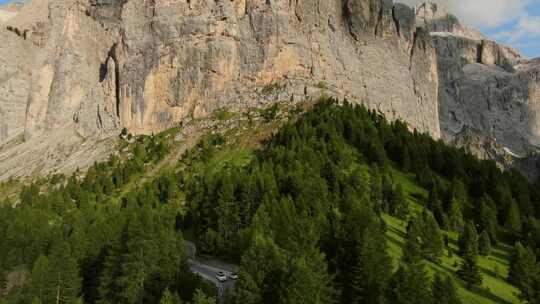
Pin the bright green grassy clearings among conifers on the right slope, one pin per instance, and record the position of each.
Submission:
(495, 267)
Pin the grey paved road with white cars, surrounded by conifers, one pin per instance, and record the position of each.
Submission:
(208, 267)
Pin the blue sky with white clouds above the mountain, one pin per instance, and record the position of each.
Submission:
(512, 22)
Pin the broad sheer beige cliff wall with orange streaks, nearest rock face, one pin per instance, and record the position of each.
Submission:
(95, 66)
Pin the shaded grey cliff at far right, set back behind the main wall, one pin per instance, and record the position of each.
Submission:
(485, 87)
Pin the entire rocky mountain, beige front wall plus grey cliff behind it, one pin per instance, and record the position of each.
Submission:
(74, 73)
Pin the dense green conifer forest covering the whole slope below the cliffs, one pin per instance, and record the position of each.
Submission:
(306, 219)
